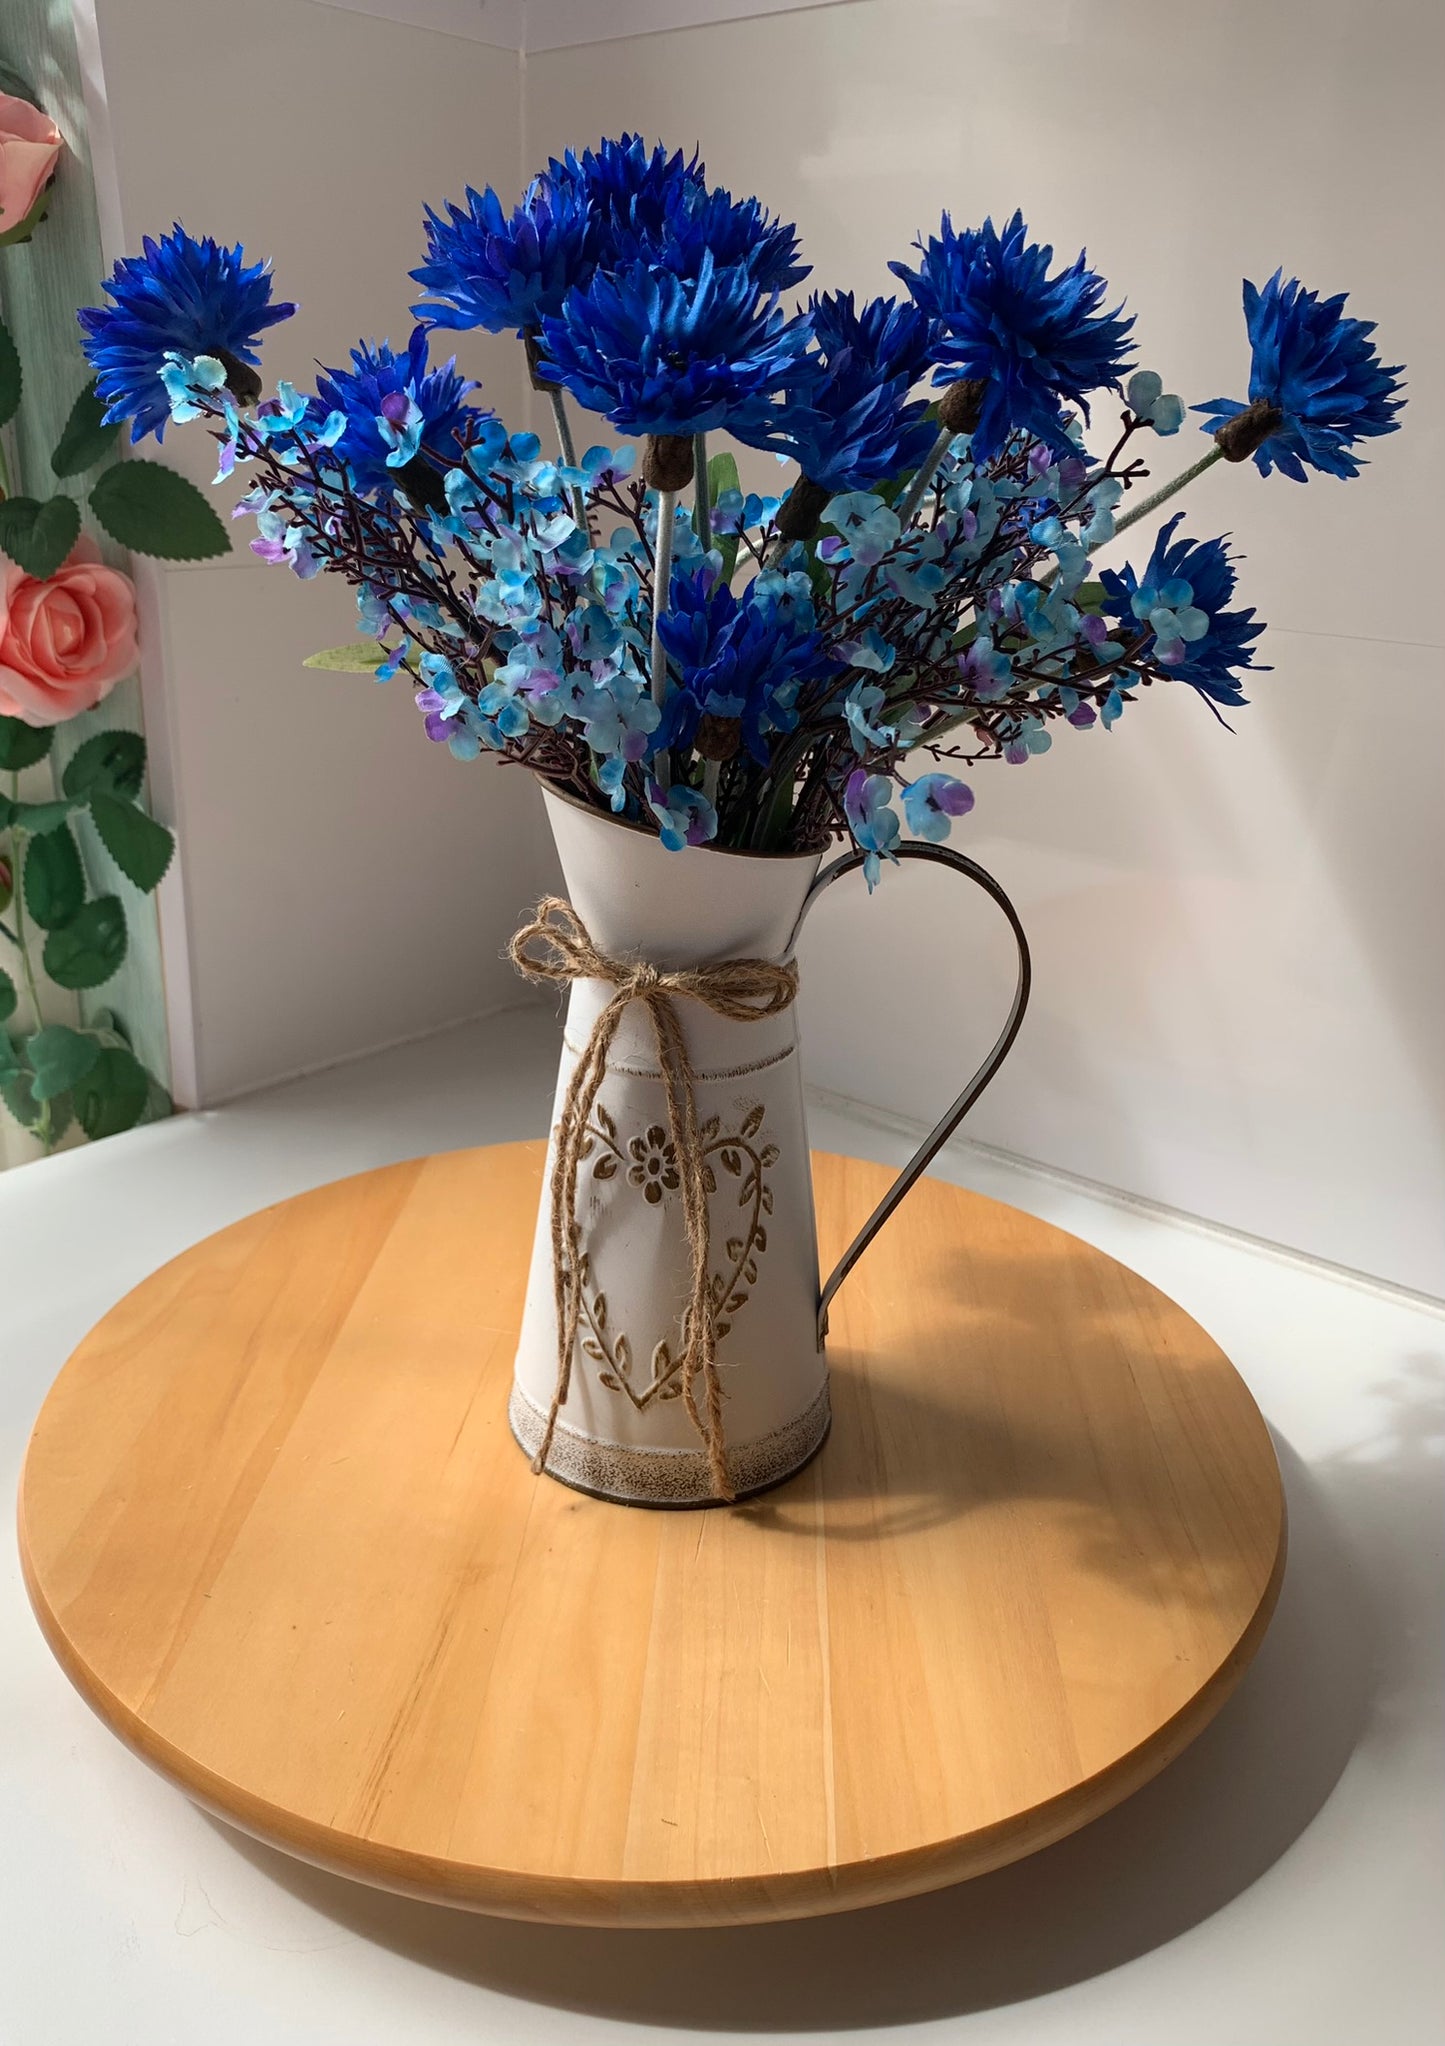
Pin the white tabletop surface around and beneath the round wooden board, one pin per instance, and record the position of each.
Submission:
(1280, 1885)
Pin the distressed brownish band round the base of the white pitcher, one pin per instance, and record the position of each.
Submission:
(668, 1476)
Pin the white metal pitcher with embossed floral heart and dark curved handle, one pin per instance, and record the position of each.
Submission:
(625, 1431)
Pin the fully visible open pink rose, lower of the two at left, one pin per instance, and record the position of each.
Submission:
(64, 643)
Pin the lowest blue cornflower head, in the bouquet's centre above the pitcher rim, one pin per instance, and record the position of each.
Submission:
(736, 658)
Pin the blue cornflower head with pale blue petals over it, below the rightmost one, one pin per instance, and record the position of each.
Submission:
(1182, 603)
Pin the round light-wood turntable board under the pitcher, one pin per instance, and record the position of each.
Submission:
(279, 1538)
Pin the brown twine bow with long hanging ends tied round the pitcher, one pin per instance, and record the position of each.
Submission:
(558, 948)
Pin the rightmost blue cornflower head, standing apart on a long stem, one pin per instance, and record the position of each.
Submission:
(1321, 373)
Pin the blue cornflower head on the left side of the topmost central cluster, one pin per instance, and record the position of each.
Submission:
(502, 273)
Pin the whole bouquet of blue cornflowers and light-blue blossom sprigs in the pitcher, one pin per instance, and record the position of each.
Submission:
(726, 668)
